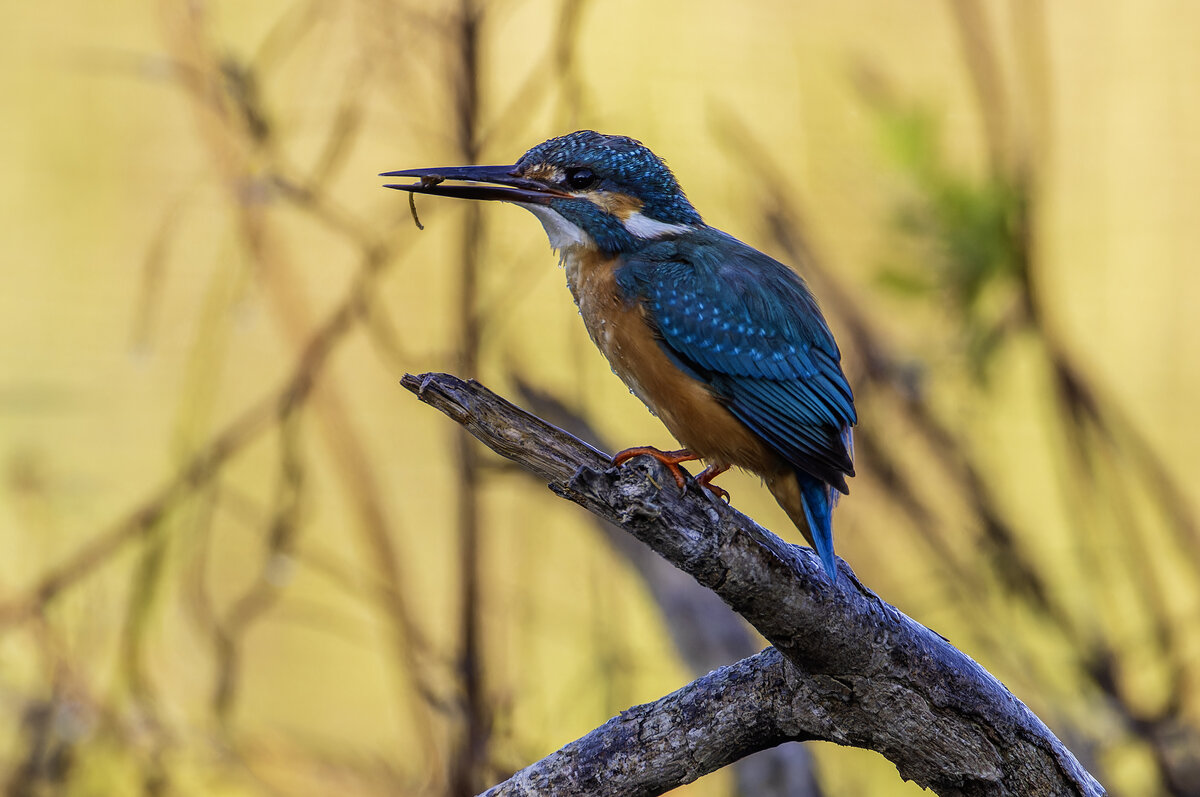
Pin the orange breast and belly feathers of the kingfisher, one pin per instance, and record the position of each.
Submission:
(687, 408)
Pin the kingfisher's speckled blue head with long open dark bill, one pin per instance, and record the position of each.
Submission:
(608, 193)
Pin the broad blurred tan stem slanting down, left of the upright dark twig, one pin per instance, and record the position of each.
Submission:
(241, 139)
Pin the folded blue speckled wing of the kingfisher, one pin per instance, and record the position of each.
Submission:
(748, 327)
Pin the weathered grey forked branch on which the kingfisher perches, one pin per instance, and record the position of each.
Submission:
(866, 675)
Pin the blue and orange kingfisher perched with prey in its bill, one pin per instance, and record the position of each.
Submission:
(725, 345)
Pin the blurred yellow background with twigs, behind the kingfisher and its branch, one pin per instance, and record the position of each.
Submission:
(237, 553)
